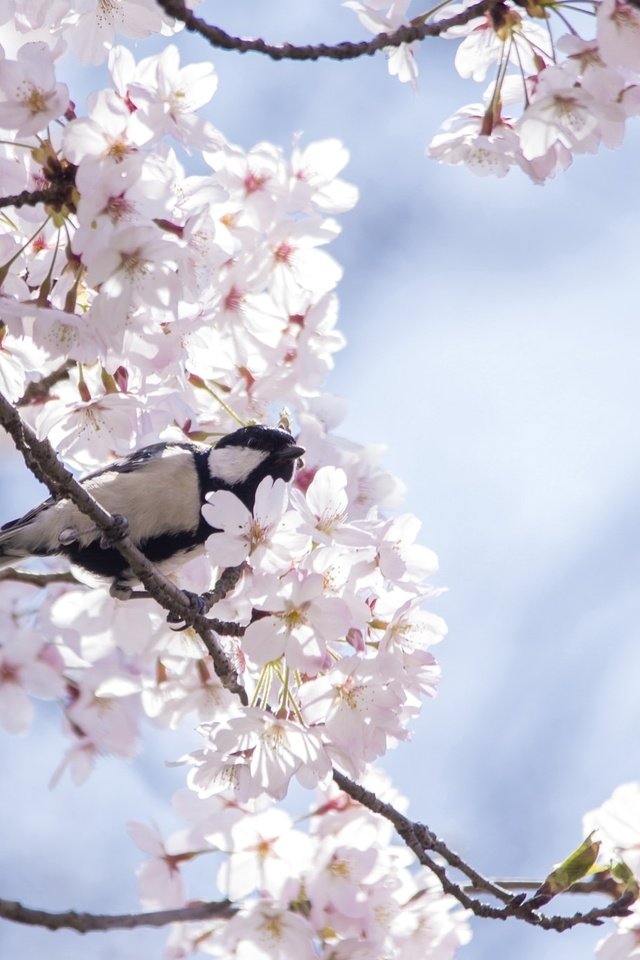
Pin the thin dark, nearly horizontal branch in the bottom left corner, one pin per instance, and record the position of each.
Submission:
(89, 922)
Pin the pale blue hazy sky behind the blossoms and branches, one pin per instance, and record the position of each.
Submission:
(493, 347)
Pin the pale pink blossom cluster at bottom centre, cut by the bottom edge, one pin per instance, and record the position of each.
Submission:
(329, 884)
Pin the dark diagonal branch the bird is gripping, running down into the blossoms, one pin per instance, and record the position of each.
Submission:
(42, 460)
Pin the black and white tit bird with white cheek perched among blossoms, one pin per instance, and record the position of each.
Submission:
(160, 490)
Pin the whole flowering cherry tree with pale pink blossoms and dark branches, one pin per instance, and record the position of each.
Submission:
(161, 282)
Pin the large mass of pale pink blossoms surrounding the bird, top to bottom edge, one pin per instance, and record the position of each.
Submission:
(174, 286)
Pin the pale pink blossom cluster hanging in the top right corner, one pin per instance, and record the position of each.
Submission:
(554, 92)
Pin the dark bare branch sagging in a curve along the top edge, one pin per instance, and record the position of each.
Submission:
(321, 51)
